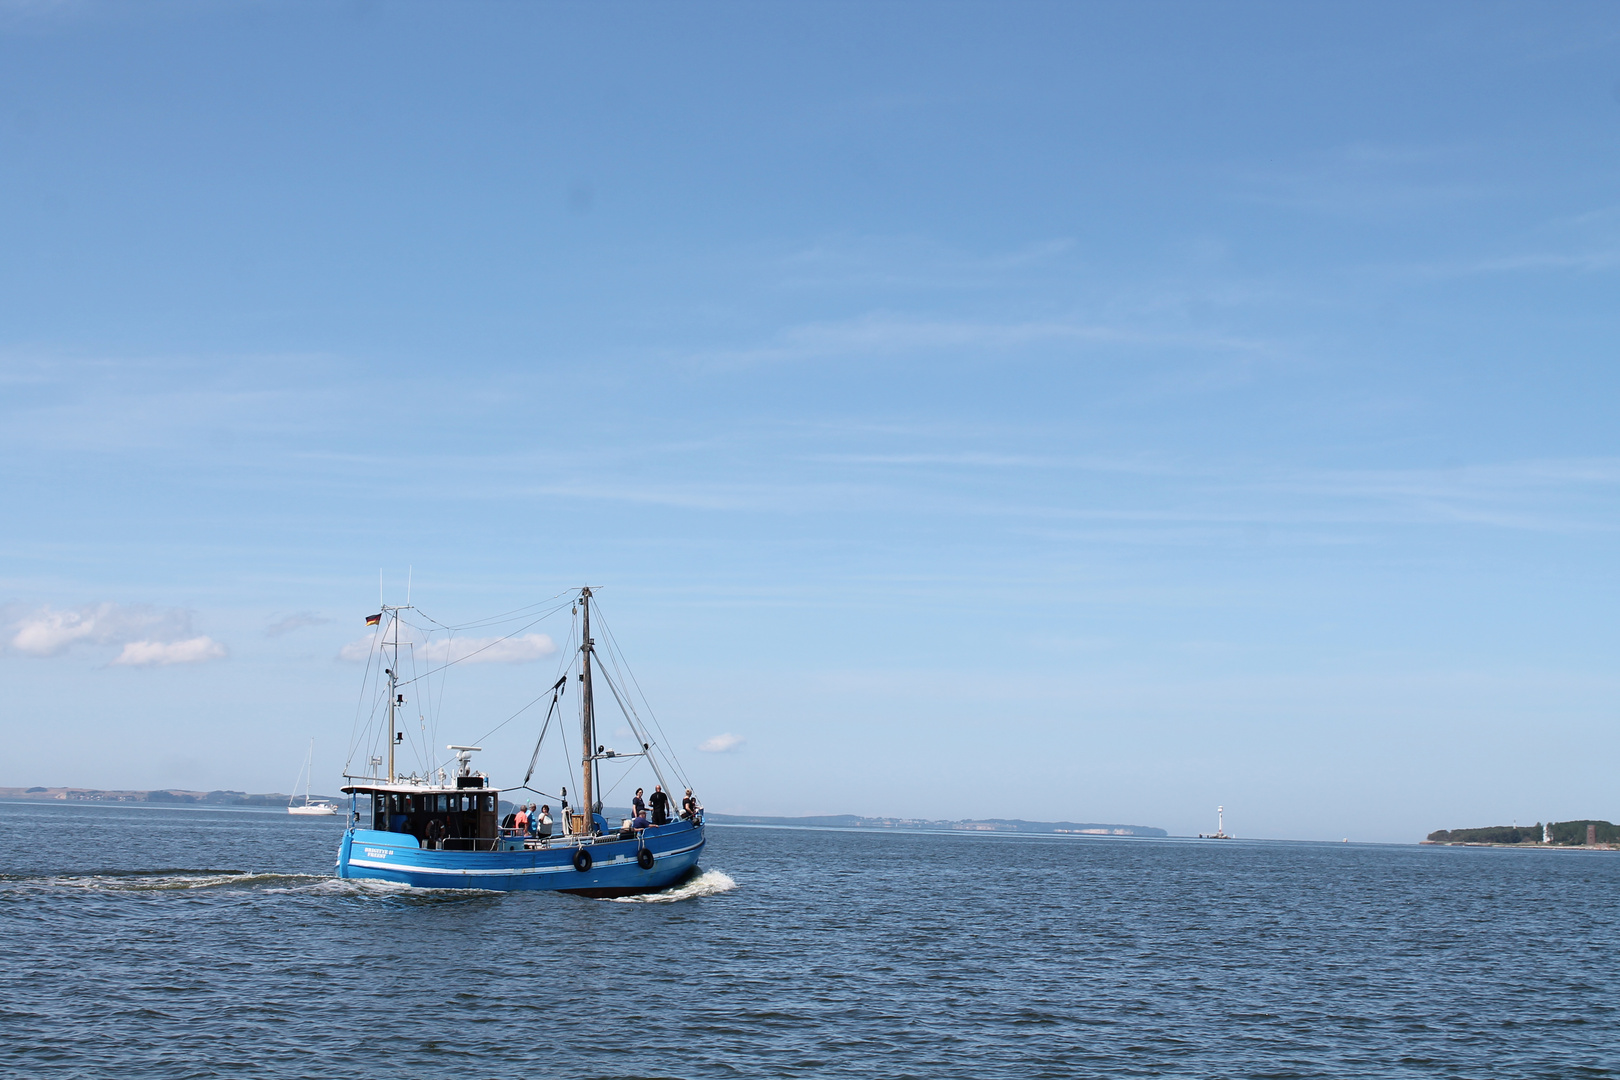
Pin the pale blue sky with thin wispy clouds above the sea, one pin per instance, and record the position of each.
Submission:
(1081, 412)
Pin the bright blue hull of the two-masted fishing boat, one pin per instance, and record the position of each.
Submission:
(613, 872)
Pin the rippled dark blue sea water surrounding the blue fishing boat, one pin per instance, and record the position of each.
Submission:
(173, 943)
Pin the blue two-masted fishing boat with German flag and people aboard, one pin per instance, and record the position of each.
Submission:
(443, 831)
